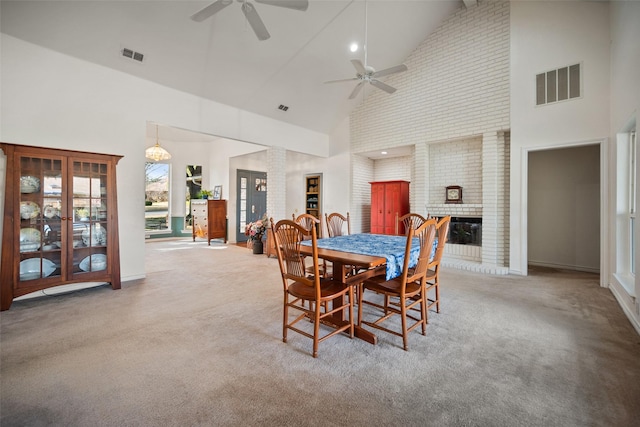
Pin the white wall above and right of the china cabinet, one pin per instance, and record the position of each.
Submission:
(53, 100)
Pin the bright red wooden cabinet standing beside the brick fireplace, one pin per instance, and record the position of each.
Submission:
(389, 200)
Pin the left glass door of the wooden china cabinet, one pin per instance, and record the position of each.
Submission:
(40, 222)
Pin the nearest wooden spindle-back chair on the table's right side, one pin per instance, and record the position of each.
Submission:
(408, 288)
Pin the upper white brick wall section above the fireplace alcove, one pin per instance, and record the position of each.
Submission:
(457, 85)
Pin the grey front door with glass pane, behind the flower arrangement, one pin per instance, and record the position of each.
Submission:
(252, 200)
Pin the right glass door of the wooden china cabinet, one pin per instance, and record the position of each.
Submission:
(87, 225)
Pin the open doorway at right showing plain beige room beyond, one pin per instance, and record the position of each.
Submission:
(563, 217)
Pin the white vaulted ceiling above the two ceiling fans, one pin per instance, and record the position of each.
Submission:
(222, 59)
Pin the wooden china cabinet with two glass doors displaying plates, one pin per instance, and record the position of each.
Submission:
(60, 220)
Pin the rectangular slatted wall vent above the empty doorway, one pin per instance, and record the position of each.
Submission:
(559, 85)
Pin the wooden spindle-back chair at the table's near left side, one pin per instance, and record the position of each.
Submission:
(320, 294)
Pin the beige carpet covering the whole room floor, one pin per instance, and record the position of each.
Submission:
(198, 342)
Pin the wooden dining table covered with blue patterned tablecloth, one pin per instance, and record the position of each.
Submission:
(351, 266)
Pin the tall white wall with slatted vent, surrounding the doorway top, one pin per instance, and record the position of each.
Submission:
(544, 36)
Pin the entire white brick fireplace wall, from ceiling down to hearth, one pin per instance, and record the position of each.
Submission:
(452, 105)
